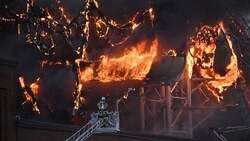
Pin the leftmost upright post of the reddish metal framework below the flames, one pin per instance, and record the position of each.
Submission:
(142, 109)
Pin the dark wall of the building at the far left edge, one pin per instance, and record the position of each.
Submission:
(7, 101)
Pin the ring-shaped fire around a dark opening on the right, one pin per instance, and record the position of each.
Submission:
(202, 54)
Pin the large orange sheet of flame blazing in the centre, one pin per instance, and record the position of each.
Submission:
(134, 64)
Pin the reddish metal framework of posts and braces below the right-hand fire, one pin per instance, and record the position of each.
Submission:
(170, 105)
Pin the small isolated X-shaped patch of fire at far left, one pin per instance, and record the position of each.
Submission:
(30, 93)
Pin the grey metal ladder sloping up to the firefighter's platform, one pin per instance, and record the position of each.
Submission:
(86, 131)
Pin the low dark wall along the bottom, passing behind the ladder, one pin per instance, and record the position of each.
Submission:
(28, 130)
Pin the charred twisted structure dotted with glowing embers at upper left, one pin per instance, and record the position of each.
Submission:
(43, 26)
